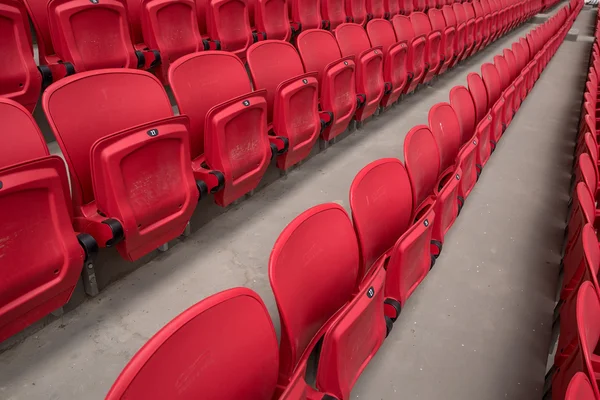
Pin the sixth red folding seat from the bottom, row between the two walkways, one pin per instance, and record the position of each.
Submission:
(462, 104)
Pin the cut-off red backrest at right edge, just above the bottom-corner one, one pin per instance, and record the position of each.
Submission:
(588, 325)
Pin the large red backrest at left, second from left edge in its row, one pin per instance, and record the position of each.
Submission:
(122, 99)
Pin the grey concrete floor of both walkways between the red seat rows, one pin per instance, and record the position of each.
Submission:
(477, 328)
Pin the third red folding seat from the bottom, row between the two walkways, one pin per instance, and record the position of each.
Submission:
(382, 211)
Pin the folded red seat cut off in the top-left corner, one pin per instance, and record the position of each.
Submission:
(19, 76)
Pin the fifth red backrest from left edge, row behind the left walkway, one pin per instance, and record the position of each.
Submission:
(317, 48)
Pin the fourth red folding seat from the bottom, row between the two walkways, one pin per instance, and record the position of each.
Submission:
(429, 186)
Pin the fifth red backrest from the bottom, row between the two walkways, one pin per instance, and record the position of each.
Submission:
(445, 128)
